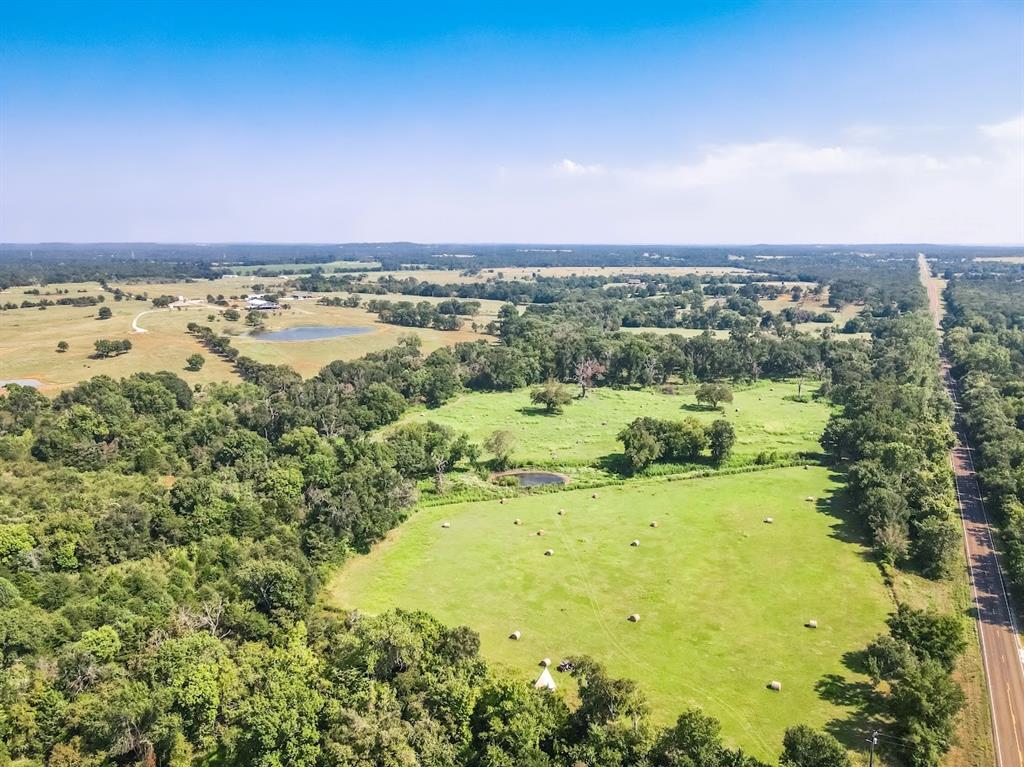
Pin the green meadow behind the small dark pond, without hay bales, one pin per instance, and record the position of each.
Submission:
(765, 416)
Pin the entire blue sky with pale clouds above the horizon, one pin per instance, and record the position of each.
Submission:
(626, 122)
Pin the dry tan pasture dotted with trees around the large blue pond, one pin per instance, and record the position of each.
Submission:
(29, 337)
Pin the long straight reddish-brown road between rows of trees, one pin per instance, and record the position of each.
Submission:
(1001, 650)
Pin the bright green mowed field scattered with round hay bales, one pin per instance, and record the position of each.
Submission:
(722, 596)
